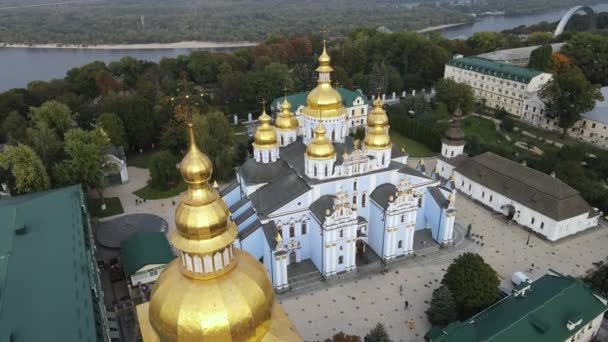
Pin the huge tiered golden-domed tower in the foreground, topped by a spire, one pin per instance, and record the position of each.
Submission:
(212, 291)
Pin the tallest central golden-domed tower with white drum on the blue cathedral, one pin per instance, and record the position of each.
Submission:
(328, 100)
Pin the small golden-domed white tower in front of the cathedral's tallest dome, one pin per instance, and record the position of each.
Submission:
(320, 155)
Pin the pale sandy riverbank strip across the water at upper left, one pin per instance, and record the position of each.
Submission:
(148, 46)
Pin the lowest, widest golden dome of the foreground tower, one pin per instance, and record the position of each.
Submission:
(238, 306)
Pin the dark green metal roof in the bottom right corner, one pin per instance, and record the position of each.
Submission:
(540, 315)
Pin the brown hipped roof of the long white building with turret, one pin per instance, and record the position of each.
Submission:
(534, 189)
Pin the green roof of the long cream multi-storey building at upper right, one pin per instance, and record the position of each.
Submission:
(488, 67)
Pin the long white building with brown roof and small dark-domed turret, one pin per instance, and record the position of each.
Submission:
(538, 201)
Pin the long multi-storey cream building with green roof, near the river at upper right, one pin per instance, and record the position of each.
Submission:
(498, 85)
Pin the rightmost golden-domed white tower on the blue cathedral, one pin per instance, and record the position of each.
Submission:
(377, 141)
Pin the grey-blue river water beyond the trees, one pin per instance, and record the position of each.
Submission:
(19, 66)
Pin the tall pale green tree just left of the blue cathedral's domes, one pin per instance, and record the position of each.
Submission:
(215, 137)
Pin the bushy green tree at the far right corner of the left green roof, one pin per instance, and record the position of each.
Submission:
(86, 162)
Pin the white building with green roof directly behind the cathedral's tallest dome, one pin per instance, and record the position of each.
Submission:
(354, 101)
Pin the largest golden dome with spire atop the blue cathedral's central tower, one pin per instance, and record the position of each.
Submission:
(324, 97)
